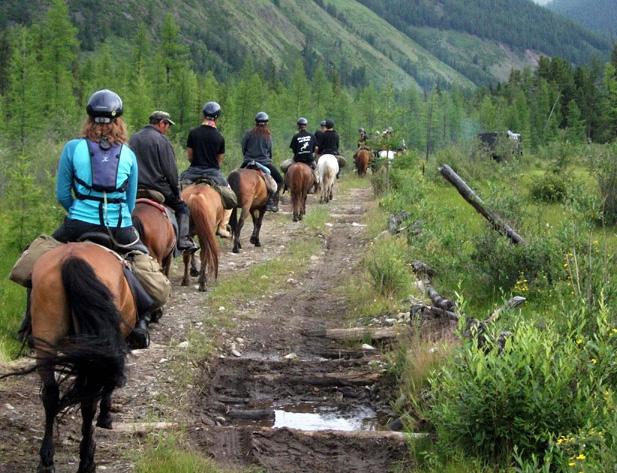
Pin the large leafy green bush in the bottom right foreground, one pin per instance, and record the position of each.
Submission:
(545, 384)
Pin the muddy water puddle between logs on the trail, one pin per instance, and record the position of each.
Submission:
(314, 418)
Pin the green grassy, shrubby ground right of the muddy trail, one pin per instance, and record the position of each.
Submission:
(545, 402)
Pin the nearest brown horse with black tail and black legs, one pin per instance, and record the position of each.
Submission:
(82, 310)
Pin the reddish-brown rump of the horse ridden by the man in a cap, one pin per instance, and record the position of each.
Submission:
(155, 231)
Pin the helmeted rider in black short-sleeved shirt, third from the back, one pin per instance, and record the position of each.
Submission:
(205, 150)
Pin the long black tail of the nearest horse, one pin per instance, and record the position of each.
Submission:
(97, 356)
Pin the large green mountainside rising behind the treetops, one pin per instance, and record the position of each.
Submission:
(408, 42)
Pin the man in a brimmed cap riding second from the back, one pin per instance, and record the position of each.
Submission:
(158, 171)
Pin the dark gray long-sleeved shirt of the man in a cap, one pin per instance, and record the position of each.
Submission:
(156, 161)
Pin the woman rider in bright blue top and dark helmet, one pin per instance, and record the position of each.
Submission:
(102, 173)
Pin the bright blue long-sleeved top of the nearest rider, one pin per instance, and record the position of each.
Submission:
(75, 162)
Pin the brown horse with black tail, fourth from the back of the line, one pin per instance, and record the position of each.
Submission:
(252, 194)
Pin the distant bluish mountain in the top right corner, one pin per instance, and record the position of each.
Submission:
(598, 15)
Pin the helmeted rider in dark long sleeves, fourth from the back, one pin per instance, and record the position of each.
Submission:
(257, 146)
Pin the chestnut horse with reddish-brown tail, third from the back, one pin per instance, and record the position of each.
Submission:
(206, 213)
